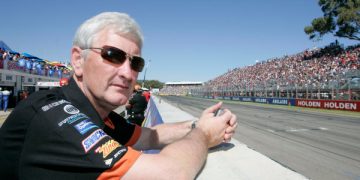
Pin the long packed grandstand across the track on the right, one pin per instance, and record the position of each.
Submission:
(332, 72)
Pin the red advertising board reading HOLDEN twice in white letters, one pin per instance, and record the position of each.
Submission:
(329, 104)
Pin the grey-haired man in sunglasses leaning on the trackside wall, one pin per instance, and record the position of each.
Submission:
(72, 133)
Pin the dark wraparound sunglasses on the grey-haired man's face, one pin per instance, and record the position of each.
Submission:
(118, 56)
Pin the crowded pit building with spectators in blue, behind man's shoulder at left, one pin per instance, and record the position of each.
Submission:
(25, 72)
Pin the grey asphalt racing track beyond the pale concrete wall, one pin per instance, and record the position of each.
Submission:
(317, 144)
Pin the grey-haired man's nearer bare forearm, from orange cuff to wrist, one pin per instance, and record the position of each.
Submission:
(180, 160)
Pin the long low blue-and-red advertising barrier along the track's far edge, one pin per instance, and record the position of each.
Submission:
(312, 103)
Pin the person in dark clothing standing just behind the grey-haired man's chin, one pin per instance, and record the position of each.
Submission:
(136, 106)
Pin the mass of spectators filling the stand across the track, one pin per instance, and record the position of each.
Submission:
(326, 68)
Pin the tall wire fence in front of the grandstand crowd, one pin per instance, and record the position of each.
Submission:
(345, 87)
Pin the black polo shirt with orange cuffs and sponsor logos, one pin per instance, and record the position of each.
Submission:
(57, 134)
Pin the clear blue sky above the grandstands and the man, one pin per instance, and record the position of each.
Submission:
(185, 40)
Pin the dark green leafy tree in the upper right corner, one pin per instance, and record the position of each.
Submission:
(341, 18)
